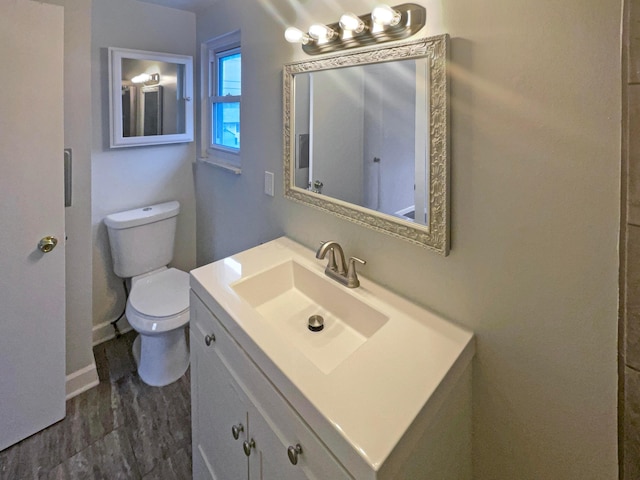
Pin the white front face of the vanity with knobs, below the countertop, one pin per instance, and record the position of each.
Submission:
(242, 426)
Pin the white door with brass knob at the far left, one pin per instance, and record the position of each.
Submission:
(32, 309)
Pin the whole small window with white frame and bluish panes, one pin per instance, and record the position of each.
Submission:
(221, 114)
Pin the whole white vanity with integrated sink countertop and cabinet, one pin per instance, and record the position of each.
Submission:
(383, 391)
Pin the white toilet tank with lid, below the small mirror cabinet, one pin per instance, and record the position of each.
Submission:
(142, 239)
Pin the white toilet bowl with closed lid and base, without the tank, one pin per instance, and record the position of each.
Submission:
(158, 309)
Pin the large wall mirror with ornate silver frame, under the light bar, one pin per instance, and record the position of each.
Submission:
(366, 138)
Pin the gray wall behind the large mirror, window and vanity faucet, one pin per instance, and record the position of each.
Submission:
(535, 213)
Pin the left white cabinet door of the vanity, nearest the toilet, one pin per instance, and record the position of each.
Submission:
(219, 406)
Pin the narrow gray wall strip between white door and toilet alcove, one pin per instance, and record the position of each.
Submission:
(77, 136)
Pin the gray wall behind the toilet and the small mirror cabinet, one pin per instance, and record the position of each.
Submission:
(126, 178)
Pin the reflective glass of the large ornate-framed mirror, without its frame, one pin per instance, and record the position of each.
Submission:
(367, 153)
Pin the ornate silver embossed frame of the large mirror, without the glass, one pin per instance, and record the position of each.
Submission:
(434, 235)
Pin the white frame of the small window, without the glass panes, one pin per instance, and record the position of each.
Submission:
(218, 155)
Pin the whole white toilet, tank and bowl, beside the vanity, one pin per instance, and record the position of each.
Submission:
(142, 243)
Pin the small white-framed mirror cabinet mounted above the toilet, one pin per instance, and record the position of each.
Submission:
(150, 98)
